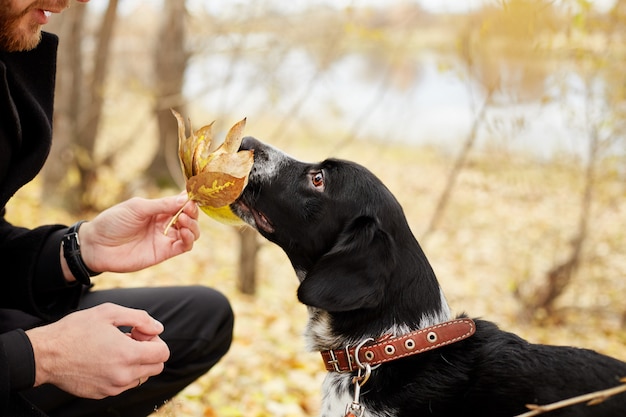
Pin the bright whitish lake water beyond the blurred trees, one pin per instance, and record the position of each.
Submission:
(434, 107)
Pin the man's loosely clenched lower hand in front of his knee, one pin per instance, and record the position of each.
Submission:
(87, 355)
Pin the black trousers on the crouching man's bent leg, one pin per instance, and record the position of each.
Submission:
(198, 325)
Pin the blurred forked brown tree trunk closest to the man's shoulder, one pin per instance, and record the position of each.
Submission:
(78, 109)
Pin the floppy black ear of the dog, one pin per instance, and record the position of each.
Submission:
(353, 273)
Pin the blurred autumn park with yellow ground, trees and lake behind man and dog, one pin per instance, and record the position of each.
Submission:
(501, 128)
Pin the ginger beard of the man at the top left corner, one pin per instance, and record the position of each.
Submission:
(12, 37)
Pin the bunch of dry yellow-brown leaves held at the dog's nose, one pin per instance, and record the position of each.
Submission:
(214, 179)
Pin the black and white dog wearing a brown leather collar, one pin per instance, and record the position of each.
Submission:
(377, 313)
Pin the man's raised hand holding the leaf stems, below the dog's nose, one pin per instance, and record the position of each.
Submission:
(129, 236)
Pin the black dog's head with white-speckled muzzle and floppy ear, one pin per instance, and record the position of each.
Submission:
(333, 220)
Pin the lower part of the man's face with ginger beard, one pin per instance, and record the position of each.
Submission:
(21, 22)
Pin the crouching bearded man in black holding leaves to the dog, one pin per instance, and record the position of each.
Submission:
(66, 350)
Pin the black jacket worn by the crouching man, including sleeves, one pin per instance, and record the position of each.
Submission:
(31, 279)
